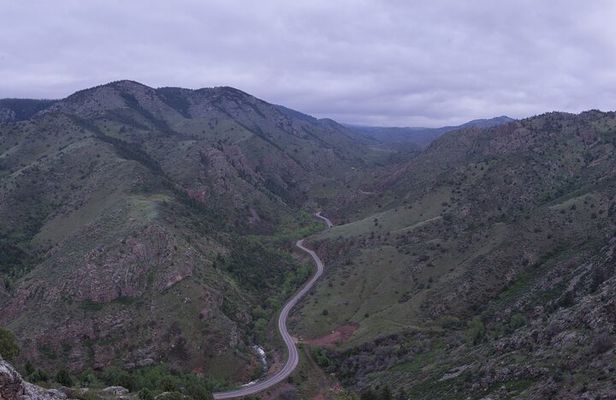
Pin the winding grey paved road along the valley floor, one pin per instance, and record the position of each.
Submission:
(293, 359)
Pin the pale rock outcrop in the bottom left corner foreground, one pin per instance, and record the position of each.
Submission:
(13, 387)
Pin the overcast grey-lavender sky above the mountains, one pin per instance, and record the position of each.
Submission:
(405, 63)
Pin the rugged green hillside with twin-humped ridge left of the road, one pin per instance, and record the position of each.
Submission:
(133, 222)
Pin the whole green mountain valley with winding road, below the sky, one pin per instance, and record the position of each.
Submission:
(153, 231)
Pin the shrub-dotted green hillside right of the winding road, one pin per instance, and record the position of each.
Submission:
(482, 266)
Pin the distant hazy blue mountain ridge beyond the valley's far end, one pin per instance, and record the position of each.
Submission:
(420, 138)
